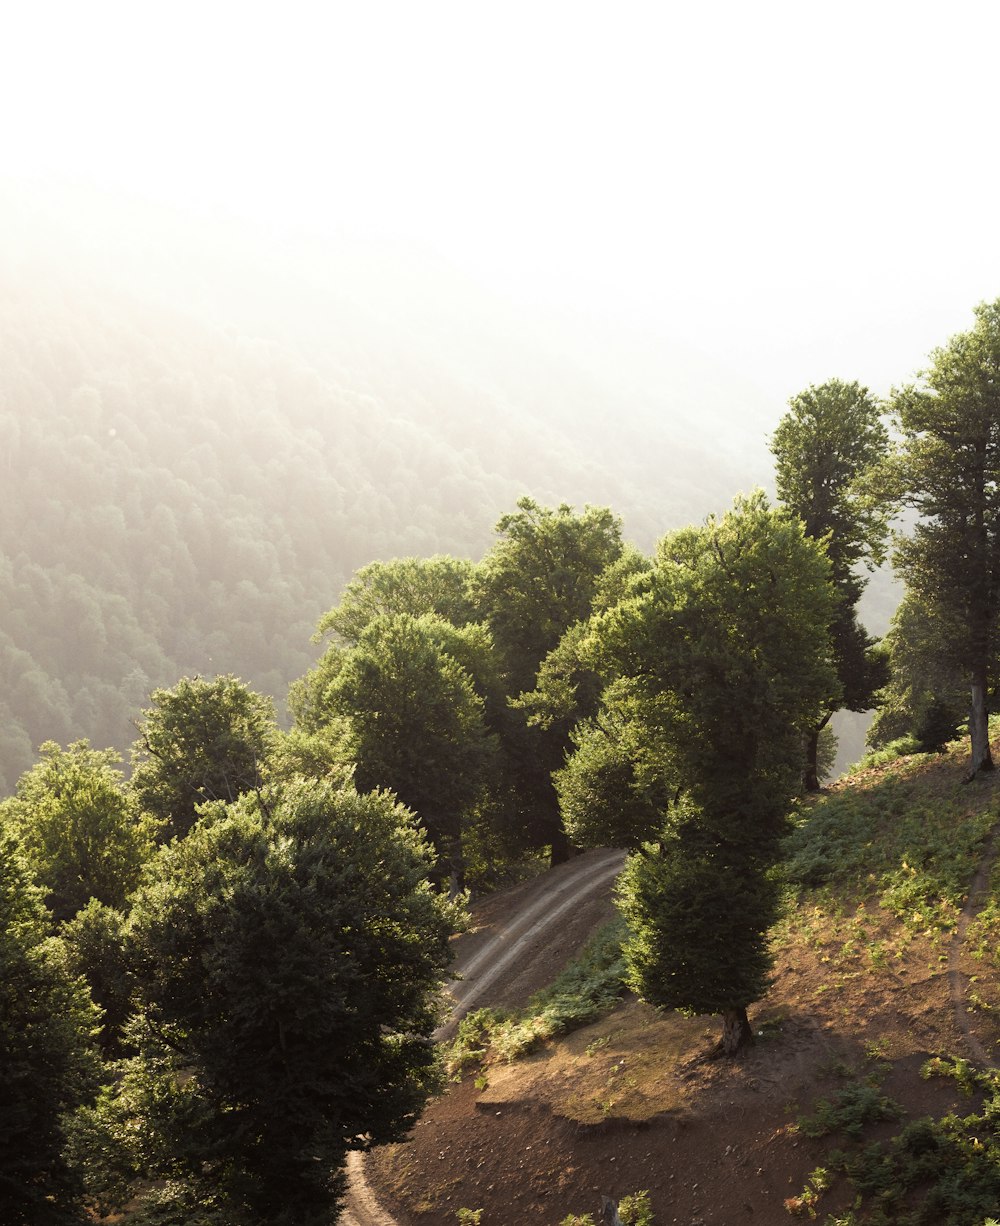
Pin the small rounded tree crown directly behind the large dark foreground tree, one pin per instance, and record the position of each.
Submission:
(203, 740)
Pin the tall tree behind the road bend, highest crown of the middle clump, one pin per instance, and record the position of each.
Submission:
(544, 576)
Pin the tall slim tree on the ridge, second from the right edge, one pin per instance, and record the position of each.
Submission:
(824, 447)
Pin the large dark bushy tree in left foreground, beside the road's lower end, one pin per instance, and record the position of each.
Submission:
(287, 956)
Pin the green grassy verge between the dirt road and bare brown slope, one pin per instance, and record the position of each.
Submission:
(589, 988)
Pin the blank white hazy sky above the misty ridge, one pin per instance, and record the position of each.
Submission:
(796, 189)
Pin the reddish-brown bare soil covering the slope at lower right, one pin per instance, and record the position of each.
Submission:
(628, 1104)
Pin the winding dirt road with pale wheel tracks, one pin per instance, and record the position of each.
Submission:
(548, 916)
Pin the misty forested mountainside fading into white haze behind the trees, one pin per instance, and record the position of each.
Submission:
(192, 471)
